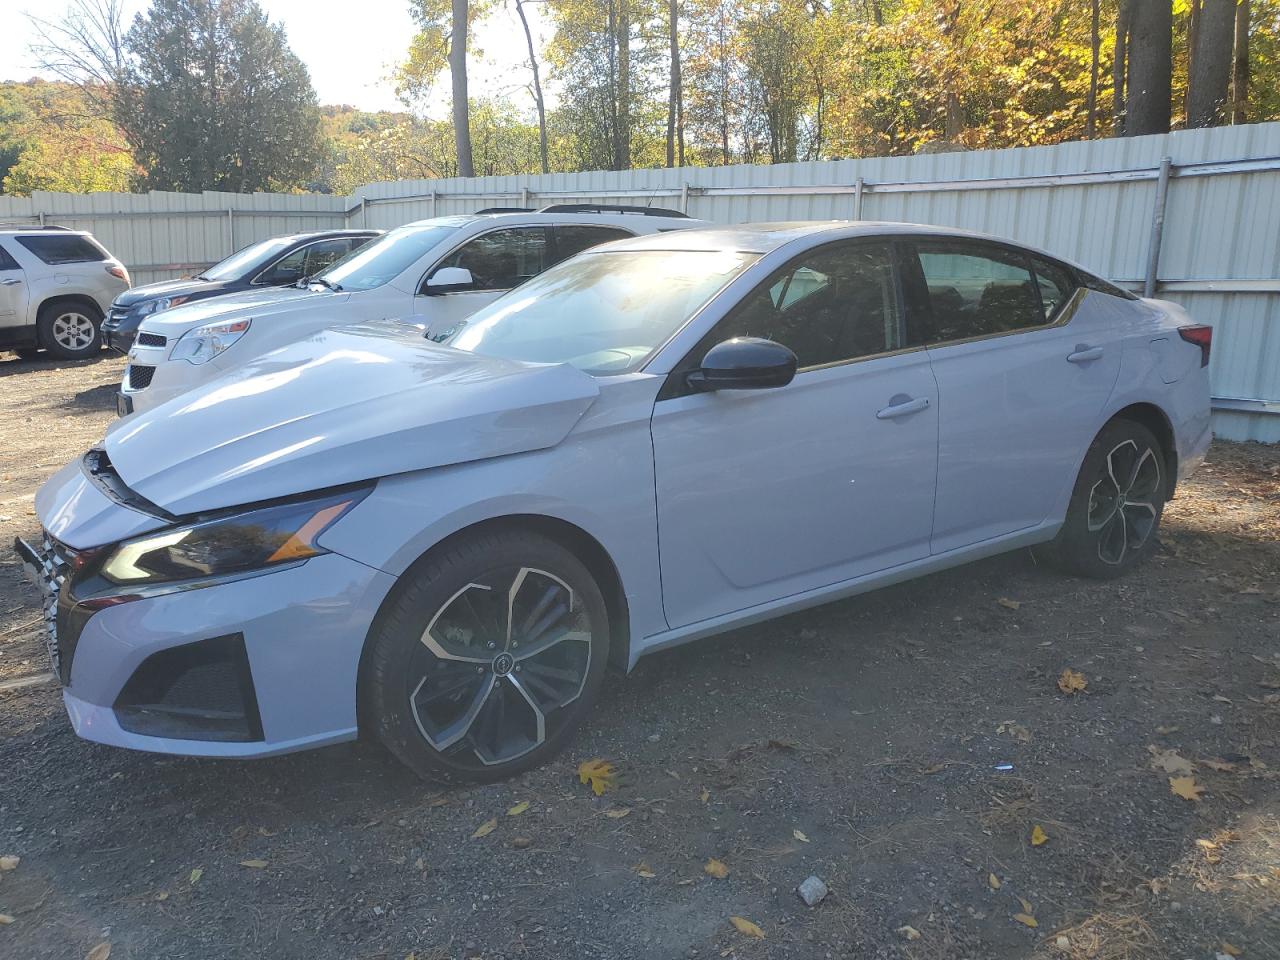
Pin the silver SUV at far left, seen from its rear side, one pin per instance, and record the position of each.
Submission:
(56, 287)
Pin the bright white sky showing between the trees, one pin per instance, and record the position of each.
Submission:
(350, 56)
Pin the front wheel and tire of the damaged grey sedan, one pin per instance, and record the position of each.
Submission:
(445, 684)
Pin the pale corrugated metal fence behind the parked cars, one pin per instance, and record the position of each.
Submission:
(1092, 203)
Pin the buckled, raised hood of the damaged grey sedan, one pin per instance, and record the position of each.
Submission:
(341, 406)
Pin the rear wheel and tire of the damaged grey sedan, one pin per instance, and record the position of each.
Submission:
(1107, 536)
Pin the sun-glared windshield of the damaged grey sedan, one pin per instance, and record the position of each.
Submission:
(602, 313)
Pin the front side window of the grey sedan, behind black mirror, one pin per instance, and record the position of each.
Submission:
(835, 304)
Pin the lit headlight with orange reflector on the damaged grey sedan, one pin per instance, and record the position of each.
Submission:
(231, 545)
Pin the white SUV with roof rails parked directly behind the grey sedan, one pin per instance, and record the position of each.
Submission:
(437, 272)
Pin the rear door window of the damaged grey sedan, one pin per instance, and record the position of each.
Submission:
(977, 292)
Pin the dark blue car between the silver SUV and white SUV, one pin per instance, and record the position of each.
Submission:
(272, 263)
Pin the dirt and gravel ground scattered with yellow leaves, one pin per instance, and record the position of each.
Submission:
(908, 748)
